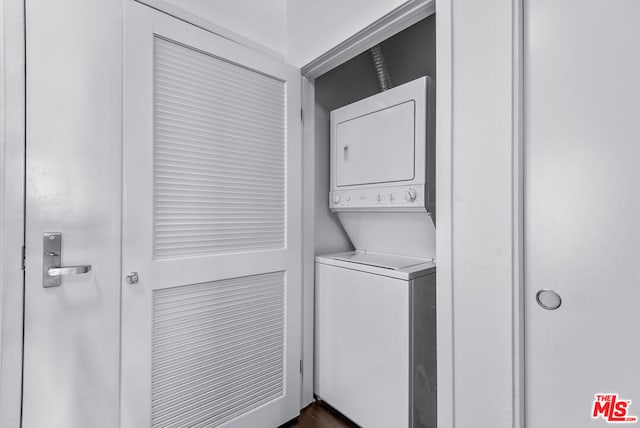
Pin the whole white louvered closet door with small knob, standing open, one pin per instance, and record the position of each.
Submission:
(211, 230)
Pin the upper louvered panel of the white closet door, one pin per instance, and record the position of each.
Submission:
(219, 155)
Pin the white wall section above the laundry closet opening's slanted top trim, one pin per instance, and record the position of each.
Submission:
(315, 26)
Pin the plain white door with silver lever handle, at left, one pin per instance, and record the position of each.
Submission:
(74, 135)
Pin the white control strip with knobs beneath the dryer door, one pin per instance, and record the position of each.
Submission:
(378, 197)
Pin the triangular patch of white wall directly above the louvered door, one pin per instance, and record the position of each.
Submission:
(264, 22)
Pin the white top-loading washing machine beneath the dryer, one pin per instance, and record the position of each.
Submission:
(375, 338)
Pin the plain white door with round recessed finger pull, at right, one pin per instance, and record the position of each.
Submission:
(582, 232)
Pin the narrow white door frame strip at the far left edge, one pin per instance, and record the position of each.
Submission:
(12, 158)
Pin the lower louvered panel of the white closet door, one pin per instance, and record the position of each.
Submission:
(218, 350)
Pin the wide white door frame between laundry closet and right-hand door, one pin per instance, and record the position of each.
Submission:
(486, 209)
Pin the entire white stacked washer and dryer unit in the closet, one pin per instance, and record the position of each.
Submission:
(375, 326)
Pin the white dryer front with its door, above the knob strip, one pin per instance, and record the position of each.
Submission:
(381, 139)
